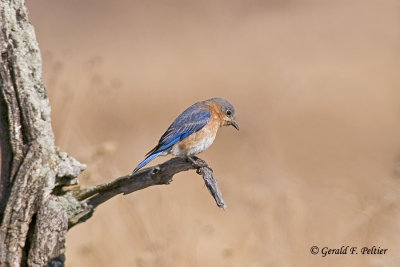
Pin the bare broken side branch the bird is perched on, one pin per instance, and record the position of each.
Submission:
(92, 197)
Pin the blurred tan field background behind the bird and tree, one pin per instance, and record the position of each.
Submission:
(316, 160)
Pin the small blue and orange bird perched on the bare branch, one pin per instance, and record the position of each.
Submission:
(194, 130)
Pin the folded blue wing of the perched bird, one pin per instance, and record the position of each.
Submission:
(190, 121)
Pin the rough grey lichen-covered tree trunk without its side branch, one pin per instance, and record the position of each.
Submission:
(30, 161)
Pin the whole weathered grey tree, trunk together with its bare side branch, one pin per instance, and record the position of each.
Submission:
(39, 198)
